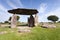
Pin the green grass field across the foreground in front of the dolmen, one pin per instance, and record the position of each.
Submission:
(37, 33)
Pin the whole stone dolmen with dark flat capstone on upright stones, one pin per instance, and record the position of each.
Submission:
(22, 11)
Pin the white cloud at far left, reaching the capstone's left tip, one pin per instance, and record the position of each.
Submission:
(4, 15)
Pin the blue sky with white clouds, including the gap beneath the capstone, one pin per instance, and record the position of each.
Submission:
(44, 7)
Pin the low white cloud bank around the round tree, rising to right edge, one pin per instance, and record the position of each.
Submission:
(56, 12)
